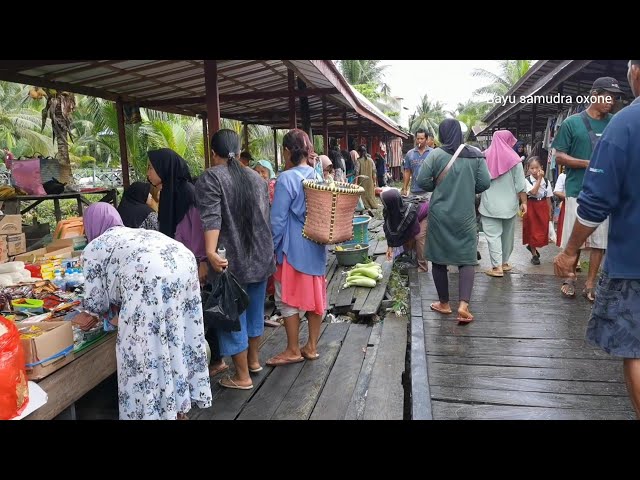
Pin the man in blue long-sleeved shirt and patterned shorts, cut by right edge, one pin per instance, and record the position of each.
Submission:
(610, 191)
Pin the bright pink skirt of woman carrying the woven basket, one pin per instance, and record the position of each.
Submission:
(302, 291)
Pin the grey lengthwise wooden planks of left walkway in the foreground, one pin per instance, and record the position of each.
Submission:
(357, 377)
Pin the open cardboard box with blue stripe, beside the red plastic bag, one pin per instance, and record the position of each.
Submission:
(50, 351)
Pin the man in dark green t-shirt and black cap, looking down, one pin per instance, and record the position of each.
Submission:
(573, 146)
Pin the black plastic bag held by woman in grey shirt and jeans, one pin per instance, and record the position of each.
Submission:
(226, 302)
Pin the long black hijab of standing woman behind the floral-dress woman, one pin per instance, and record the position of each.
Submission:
(178, 193)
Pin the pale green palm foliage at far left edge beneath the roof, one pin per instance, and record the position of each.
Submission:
(20, 121)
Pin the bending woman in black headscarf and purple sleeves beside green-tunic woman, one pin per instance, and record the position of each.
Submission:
(402, 222)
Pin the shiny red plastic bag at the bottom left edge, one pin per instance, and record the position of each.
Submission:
(14, 389)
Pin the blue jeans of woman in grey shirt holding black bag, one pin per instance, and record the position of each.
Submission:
(252, 321)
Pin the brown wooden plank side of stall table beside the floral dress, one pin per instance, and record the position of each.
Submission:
(66, 386)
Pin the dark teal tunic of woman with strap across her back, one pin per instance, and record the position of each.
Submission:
(451, 234)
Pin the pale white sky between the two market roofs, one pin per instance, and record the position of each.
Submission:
(447, 81)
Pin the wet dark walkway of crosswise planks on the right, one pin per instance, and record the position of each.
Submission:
(524, 356)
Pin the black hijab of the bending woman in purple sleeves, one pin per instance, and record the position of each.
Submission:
(399, 218)
